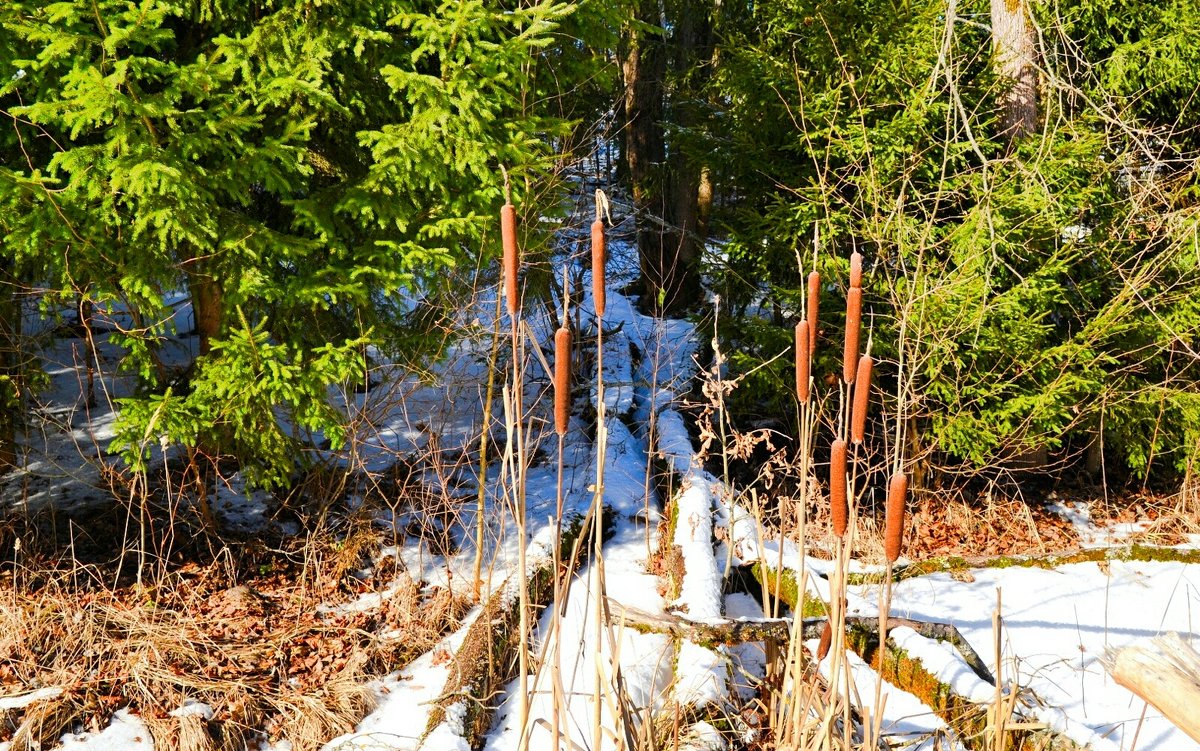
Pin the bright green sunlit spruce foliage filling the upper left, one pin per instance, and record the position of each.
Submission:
(290, 165)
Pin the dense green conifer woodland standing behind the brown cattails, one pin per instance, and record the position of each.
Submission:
(322, 179)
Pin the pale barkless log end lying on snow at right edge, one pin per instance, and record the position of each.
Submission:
(1165, 672)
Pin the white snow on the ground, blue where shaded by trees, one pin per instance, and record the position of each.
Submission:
(1057, 623)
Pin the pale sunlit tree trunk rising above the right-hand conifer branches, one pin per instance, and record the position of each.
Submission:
(1016, 49)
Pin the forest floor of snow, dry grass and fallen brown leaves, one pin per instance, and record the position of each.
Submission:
(178, 610)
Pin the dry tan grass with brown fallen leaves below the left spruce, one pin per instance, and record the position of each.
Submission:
(241, 633)
